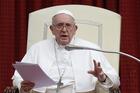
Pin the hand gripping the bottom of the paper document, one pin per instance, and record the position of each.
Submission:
(27, 86)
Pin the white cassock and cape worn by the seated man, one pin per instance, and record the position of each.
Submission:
(55, 61)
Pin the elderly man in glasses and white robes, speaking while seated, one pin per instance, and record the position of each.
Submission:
(78, 70)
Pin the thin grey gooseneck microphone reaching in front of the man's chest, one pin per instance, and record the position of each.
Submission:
(75, 47)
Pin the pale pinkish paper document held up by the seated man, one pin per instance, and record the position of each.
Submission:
(33, 73)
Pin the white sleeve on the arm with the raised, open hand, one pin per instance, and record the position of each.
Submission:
(112, 76)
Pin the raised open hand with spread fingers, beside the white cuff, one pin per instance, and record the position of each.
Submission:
(98, 72)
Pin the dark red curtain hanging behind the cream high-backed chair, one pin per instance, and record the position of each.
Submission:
(13, 35)
